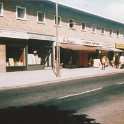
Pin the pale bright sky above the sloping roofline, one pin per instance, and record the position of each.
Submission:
(111, 9)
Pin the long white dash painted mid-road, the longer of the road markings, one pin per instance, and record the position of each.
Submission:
(76, 94)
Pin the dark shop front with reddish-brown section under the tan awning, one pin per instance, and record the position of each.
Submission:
(75, 55)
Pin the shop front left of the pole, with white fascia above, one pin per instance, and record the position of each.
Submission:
(30, 53)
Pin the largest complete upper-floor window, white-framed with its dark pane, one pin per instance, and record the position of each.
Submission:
(20, 12)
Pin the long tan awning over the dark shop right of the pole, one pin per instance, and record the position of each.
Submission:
(77, 47)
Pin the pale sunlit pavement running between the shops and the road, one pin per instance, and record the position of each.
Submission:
(10, 80)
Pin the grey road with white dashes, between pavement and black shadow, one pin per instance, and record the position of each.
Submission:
(83, 96)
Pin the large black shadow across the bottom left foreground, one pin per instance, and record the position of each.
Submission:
(42, 114)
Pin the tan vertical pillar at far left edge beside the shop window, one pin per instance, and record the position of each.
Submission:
(2, 58)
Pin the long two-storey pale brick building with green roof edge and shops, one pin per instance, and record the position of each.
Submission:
(28, 30)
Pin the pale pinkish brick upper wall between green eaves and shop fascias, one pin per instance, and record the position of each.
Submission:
(30, 24)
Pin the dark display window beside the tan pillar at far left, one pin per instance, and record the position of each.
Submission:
(15, 56)
